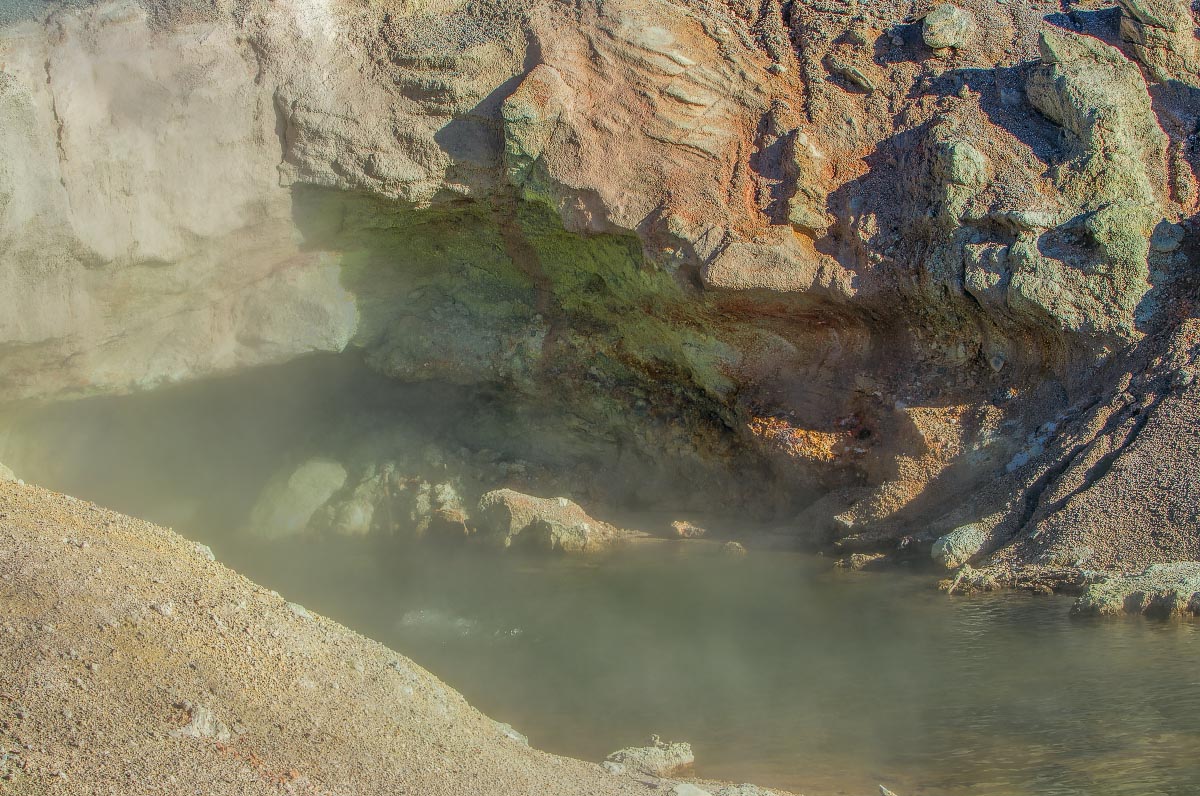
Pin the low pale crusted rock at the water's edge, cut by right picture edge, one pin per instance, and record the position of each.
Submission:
(1161, 590)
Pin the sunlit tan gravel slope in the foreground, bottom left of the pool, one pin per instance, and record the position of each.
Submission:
(131, 663)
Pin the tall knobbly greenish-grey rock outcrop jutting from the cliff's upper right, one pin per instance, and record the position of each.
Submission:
(1100, 99)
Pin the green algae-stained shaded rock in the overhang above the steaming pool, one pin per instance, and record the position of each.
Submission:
(503, 295)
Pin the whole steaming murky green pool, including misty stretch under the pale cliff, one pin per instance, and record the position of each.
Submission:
(777, 669)
